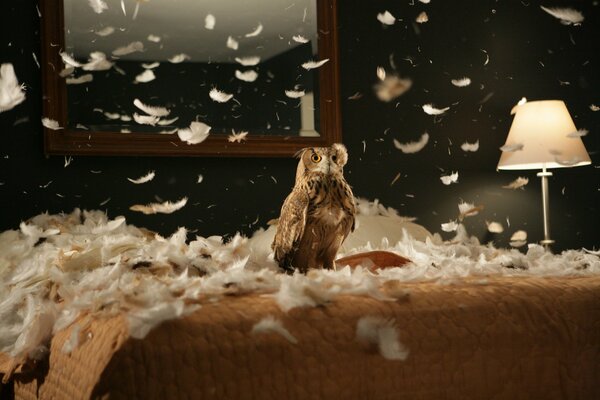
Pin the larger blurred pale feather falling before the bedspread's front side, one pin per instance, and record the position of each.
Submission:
(383, 333)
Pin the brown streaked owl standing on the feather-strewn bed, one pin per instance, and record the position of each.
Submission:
(317, 216)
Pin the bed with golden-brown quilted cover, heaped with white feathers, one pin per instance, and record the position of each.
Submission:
(462, 320)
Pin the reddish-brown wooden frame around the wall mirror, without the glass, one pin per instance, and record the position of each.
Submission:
(75, 142)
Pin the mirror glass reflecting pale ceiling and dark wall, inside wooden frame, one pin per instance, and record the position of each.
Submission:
(237, 66)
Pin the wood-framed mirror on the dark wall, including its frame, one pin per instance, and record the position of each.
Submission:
(188, 77)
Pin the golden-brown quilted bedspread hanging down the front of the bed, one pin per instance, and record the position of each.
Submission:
(498, 338)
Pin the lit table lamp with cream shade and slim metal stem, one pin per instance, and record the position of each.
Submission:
(543, 136)
